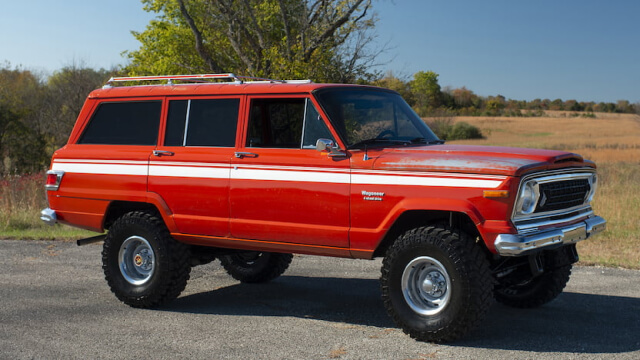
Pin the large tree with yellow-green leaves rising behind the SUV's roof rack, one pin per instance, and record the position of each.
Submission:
(323, 40)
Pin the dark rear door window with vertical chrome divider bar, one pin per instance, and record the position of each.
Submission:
(204, 122)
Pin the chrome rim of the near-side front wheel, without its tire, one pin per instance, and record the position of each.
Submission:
(426, 285)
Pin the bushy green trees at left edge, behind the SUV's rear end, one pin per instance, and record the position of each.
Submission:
(37, 115)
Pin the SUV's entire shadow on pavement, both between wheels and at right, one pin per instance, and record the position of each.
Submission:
(573, 323)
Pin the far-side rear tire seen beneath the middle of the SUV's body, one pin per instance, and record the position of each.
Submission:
(255, 267)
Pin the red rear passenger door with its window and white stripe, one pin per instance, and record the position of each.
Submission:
(190, 168)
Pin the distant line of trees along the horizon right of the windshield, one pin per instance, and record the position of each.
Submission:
(424, 93)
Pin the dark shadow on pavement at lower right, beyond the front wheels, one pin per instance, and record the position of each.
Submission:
(572, 323)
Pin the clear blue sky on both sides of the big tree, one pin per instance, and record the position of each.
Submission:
(586, 50)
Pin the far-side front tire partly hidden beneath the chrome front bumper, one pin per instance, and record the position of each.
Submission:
(537, 291)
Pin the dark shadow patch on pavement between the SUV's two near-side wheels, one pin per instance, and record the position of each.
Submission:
(352, 301)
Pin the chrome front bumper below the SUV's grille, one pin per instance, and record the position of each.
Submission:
(516, 244)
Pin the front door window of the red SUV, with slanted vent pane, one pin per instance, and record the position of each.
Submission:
(291, 123)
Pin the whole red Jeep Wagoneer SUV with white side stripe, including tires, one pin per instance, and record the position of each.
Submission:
(251, 172)
